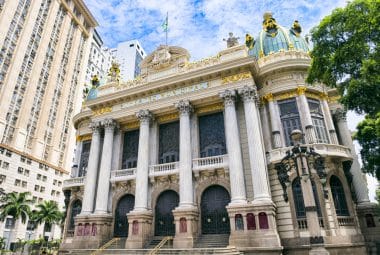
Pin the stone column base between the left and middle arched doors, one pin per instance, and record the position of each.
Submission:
(140, 229)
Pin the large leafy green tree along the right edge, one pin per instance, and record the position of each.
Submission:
(346, 56)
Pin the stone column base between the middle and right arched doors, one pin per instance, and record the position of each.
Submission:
(186, 227)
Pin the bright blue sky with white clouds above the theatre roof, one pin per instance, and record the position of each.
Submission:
(198, 25)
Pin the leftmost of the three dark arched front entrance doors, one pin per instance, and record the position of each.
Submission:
(124, 206)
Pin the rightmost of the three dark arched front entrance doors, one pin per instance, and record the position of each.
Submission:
(213, 210)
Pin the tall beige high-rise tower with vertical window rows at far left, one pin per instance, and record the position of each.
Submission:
(44, 48)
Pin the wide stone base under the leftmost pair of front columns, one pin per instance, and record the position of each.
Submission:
(91, 231)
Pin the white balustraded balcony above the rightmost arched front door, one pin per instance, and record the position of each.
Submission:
(210, 163)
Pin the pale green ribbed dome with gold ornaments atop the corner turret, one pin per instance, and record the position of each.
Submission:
(275, 38)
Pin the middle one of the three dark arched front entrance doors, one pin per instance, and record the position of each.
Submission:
(164, 219)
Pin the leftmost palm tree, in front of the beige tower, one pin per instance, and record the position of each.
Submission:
(16, 205)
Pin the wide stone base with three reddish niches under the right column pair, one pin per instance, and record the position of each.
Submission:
(245, 234)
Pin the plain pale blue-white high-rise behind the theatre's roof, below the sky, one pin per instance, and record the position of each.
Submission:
(129, 55)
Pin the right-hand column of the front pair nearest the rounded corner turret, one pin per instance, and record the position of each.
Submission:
(256, 150)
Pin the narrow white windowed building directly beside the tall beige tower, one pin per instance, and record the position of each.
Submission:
(100, 59)
